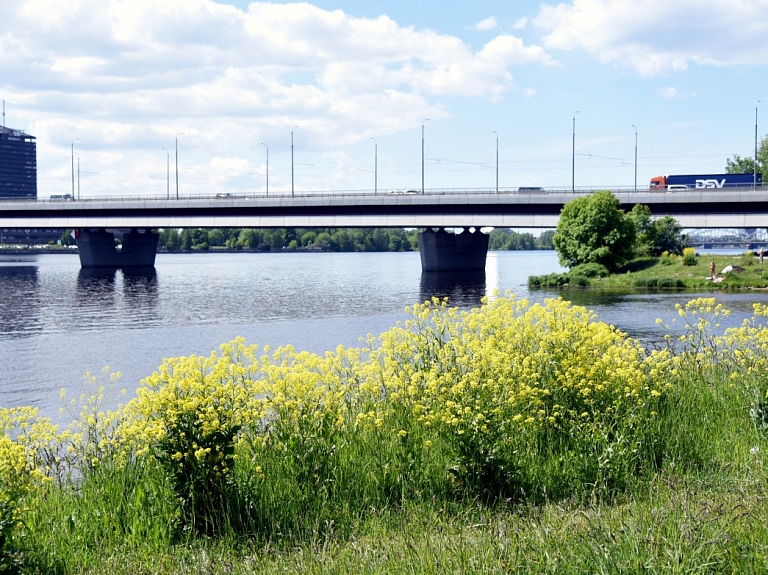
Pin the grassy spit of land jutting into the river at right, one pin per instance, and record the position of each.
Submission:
(687, 271)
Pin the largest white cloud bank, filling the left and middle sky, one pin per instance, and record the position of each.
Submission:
(135, 73)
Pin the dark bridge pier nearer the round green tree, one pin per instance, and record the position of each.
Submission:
(443, 251)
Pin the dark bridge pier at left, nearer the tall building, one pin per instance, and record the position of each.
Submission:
(98, 250)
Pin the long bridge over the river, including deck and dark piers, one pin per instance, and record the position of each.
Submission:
(435, 210)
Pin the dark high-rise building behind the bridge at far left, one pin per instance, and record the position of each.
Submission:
(18, 164)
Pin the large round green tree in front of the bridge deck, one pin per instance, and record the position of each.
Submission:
(593, 229)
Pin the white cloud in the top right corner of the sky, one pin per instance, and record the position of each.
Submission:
(658, 36)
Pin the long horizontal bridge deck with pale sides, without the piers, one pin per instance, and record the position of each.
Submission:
(695, 209)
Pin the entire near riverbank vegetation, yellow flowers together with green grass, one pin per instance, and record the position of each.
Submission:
(535, 424)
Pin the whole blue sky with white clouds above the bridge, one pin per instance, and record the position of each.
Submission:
(340, 95)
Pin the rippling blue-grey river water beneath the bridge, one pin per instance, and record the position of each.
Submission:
(58, 322)
